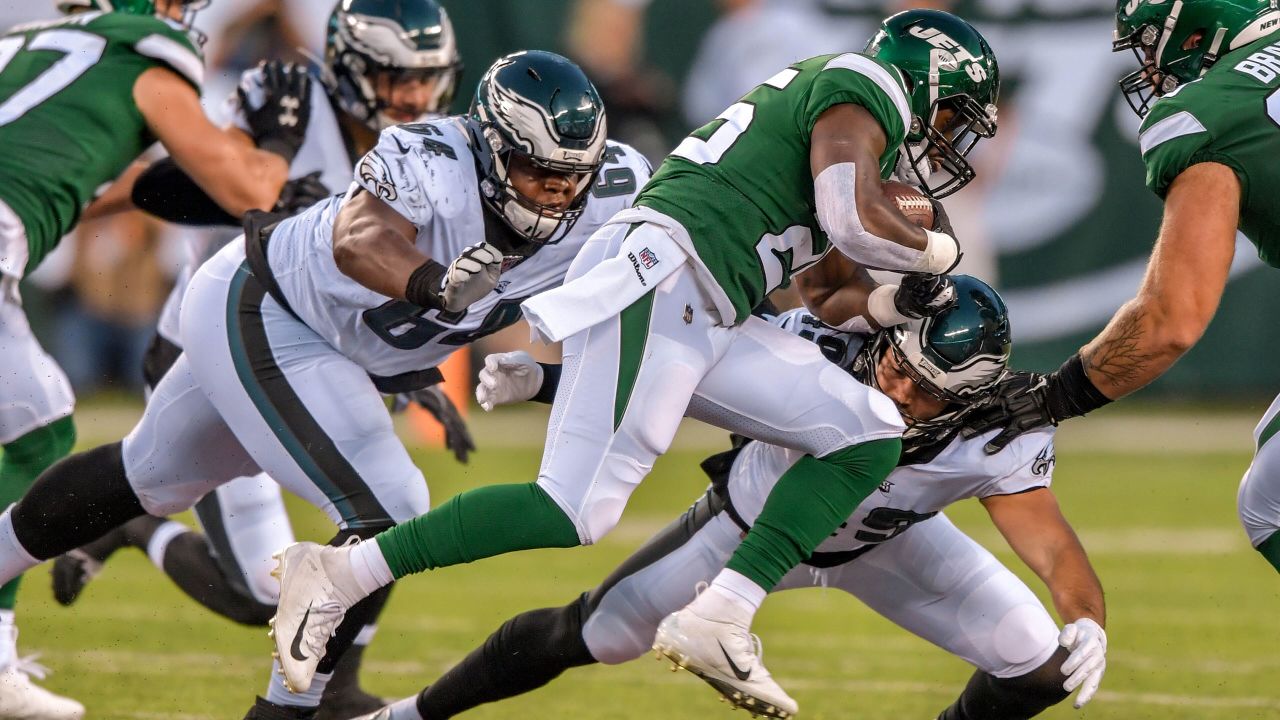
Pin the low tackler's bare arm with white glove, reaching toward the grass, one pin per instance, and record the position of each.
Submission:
(1036, 530)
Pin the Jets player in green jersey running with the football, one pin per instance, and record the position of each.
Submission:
(656, 320)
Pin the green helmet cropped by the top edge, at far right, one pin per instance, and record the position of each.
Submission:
(1159, 30)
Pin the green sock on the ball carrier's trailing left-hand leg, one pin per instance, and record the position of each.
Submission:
(477, 525)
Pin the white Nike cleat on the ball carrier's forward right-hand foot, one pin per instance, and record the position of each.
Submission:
(728, 658)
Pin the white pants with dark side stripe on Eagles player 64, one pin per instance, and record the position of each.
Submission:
(257, 390)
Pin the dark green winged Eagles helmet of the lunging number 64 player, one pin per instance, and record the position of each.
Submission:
(543, 108)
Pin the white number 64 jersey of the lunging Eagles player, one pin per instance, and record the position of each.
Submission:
(427, 174)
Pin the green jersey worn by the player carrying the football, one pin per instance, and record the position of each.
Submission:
(743, 188)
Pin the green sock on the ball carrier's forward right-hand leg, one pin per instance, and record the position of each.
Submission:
(810, 502)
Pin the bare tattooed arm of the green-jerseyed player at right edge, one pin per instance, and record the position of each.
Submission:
(1183, 286)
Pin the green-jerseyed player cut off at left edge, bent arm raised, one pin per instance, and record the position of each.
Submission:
(81, 98)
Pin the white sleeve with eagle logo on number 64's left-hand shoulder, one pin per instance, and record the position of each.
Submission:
(397, 172)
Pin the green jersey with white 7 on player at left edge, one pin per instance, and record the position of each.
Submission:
(68, 121)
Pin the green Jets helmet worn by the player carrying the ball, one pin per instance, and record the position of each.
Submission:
(953, 83)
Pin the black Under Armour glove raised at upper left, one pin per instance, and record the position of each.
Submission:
(281, 124)
